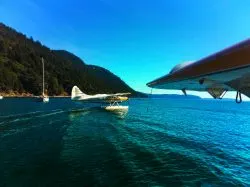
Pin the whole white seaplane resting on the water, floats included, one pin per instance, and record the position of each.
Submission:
(112, 99)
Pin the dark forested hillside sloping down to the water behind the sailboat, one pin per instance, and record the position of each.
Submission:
(21, 69)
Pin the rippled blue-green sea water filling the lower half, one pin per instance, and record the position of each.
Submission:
(160, 142)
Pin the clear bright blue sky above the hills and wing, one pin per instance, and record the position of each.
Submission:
(137, 40)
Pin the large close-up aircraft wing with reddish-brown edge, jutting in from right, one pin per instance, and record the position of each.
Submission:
(227, 70)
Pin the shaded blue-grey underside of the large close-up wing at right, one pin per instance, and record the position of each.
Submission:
(215, 84)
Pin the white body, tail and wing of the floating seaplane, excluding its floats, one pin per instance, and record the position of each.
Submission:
(78, 95)
